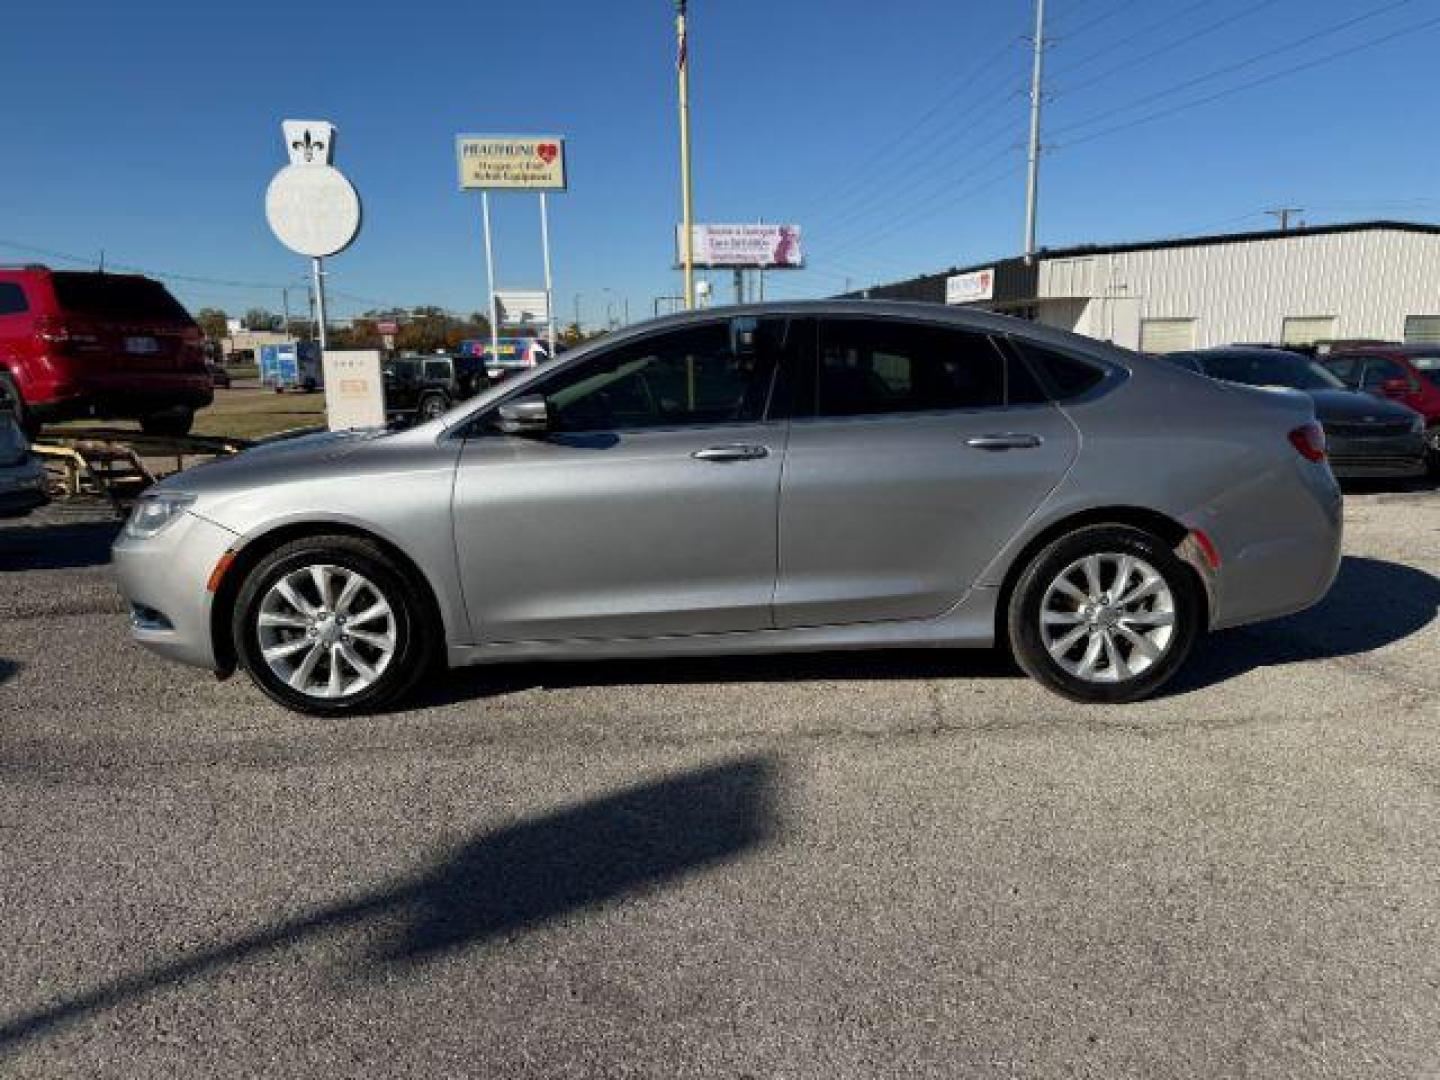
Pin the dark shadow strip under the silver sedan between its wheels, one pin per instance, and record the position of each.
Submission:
(467, 685)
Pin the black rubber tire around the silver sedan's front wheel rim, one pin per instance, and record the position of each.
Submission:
(415, 626)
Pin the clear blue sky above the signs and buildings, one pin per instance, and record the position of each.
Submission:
(889, 132)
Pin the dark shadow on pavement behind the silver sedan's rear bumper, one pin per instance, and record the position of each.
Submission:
(1373, 604)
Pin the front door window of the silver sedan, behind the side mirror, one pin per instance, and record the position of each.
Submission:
(686, 378)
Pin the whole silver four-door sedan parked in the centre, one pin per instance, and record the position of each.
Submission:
(783, 477)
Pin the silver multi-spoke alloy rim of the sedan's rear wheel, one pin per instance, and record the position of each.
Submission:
(1108, 618)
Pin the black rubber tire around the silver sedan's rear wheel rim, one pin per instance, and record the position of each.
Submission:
(1025, 614)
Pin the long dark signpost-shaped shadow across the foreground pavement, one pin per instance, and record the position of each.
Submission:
(513, 879)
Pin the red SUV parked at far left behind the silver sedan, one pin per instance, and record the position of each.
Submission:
(113, 346)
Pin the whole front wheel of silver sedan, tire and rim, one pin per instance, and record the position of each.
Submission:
(330, 626)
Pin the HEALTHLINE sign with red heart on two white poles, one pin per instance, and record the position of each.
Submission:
(513, 163)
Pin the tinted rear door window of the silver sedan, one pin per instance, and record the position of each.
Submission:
(872, 368)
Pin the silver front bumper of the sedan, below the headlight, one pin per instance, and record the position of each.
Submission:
(163, 578)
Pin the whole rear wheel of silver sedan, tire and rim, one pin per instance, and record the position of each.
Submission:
(1105, 614)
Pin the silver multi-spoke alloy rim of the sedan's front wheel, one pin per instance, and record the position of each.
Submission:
(326, 631)
